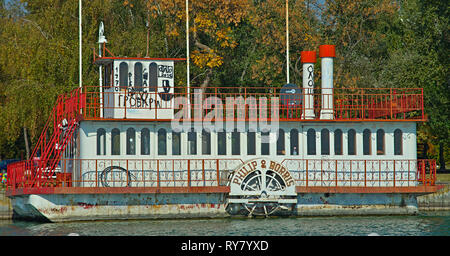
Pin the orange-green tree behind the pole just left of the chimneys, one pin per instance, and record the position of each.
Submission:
(268, 19)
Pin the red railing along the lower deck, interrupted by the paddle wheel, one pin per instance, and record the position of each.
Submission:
(216, 172)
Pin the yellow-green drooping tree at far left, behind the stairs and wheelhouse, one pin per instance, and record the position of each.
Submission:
(39, 58)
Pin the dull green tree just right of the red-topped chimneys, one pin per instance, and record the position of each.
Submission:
(357, 28)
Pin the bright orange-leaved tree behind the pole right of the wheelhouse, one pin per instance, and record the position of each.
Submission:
(212, 27)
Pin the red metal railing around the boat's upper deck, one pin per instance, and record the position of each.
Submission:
(345, 104)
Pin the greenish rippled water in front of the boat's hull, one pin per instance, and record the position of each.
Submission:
(424, 224)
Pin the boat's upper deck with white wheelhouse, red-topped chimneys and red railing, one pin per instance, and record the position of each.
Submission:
(143, 89)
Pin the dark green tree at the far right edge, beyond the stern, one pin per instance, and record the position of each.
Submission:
(418, 41)
